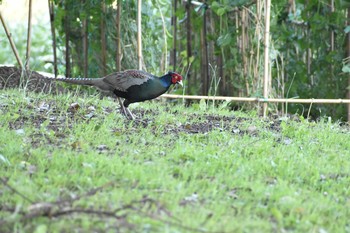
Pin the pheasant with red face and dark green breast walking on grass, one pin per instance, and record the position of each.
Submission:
(132, 85)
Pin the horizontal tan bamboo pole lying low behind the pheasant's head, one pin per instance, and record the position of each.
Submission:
(259, 100)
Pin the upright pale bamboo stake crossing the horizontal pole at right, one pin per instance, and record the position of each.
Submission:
(266, 57)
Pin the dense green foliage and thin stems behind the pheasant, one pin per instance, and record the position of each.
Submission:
(218, 45)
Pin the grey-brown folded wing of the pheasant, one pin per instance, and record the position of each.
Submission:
(125, 79)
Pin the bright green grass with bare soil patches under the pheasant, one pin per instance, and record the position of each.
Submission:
(205, 170)
